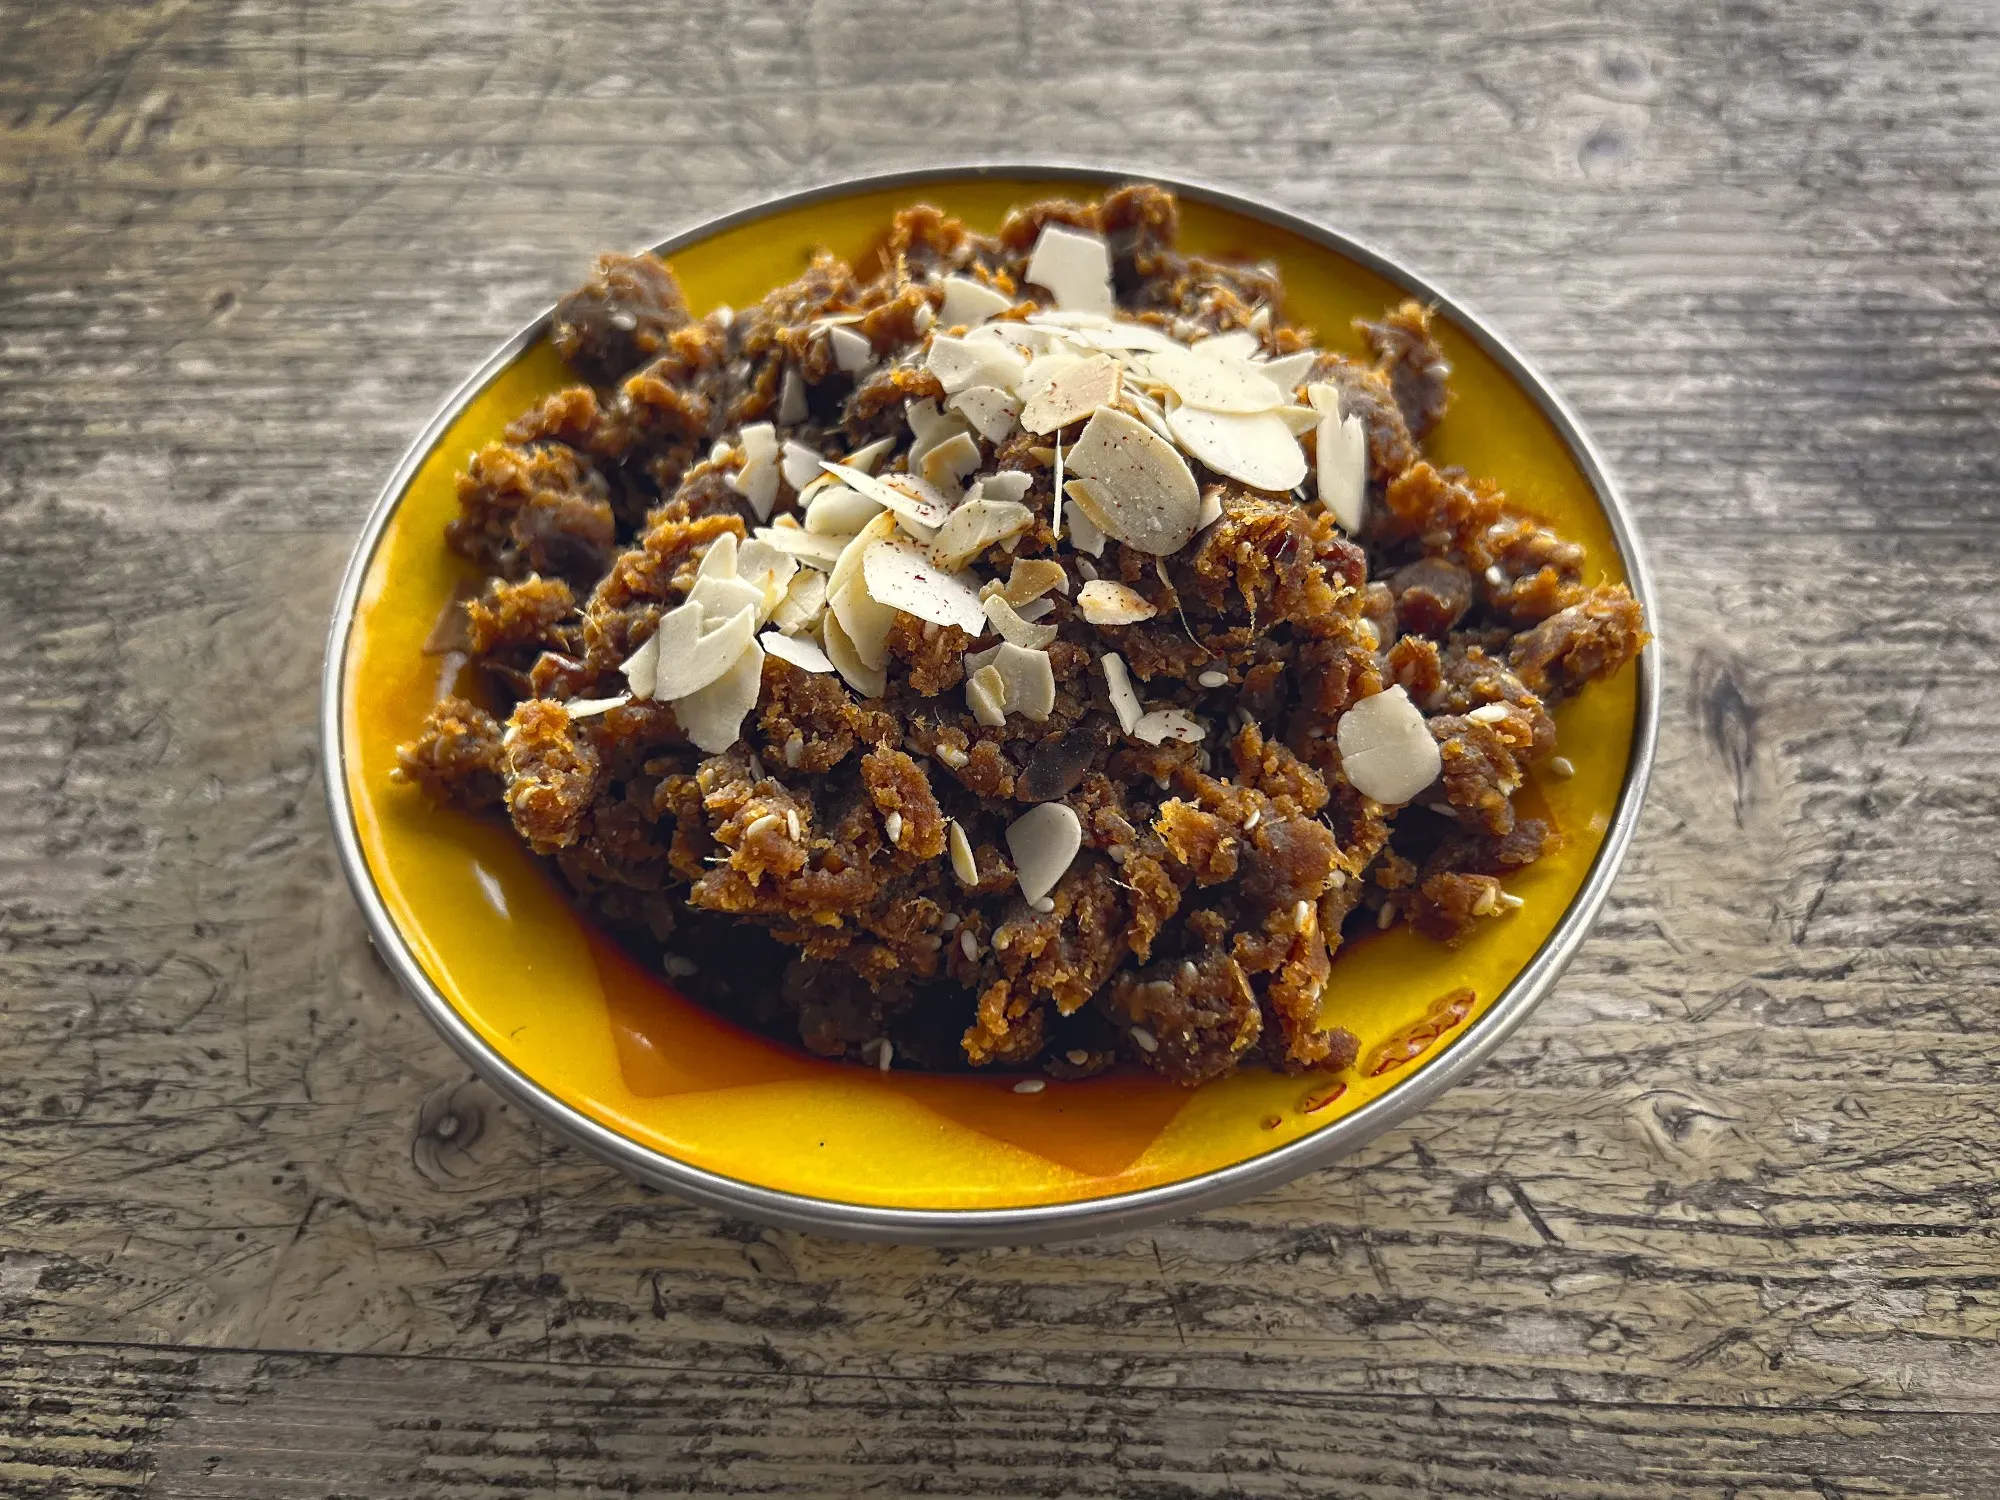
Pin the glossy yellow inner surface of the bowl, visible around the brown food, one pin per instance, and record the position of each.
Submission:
(567, 1009)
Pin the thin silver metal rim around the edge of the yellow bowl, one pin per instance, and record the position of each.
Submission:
(1091, 1215)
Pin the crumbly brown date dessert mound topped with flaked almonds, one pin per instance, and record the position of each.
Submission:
(1013, 651)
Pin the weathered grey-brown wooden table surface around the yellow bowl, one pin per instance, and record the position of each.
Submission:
(1721, 1221)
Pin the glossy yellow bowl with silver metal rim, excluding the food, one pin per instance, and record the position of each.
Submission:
(609, 1055)
